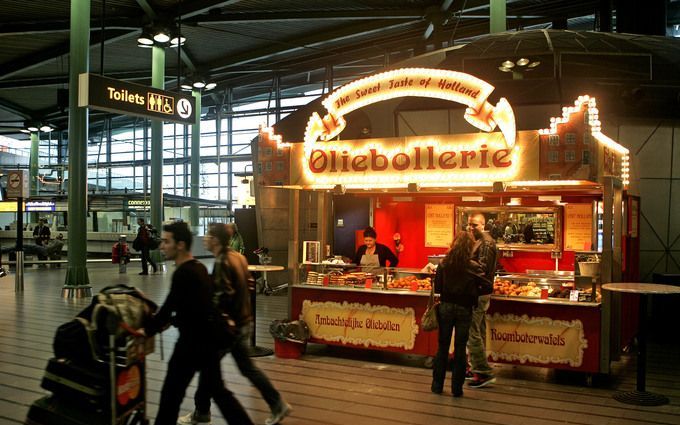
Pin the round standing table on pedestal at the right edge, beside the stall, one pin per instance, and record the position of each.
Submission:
(641, 396)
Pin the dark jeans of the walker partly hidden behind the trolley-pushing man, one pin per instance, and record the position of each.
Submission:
(240, 351)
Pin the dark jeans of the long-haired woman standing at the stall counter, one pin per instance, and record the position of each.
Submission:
(451, 316)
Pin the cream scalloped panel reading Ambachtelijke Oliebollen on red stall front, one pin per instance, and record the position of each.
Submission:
(361, 324)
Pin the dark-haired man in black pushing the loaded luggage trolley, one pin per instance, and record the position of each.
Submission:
(189, 306)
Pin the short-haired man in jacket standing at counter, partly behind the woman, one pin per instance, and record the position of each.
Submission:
(485, 253)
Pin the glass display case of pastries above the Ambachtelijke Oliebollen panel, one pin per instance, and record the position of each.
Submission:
(362, 277)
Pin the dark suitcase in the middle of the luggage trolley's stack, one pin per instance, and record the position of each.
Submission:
(90, 385)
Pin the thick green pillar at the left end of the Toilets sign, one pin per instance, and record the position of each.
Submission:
(77, 282)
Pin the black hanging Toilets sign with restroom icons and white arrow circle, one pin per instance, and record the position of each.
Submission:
(121, 97)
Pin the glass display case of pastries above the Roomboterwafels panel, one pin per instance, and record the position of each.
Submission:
(547, 285)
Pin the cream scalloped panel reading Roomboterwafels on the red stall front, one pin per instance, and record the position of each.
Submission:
(535, 339)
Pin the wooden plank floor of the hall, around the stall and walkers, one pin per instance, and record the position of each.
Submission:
(330, 385)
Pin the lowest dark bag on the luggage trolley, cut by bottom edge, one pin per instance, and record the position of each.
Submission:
(51, 411)
